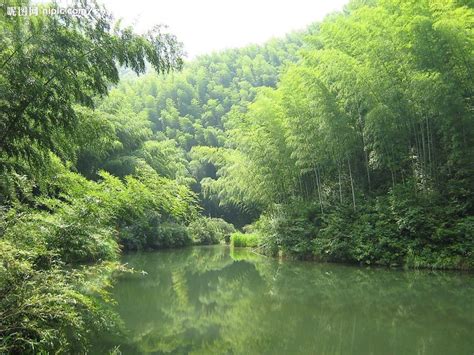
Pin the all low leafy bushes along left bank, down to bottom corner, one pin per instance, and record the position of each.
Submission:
(48, 302)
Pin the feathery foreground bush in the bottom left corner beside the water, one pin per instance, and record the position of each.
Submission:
(49, 310)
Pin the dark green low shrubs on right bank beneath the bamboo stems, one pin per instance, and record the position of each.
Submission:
(415, 230)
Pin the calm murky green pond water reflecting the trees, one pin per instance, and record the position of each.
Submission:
(208, 300)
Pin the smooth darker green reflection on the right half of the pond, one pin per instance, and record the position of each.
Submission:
(341, 309)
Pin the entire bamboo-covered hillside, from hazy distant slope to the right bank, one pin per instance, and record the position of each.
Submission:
(361, 152)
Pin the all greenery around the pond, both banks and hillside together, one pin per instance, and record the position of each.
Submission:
(351, 141)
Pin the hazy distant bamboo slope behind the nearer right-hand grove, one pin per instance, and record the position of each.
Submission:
(160, 118)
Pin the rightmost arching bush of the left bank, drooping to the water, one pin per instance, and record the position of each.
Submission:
(152, 211)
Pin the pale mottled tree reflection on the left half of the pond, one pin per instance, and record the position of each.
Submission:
(188, 294)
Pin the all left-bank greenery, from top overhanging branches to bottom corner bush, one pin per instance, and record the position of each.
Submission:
(53, 72)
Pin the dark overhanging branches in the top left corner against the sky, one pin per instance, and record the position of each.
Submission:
(70, 59)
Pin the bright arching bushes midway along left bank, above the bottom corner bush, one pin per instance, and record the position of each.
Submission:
(87, 220)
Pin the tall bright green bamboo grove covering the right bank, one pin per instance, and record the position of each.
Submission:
(364, 152)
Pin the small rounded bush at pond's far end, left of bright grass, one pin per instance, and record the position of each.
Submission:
(206, 230)
